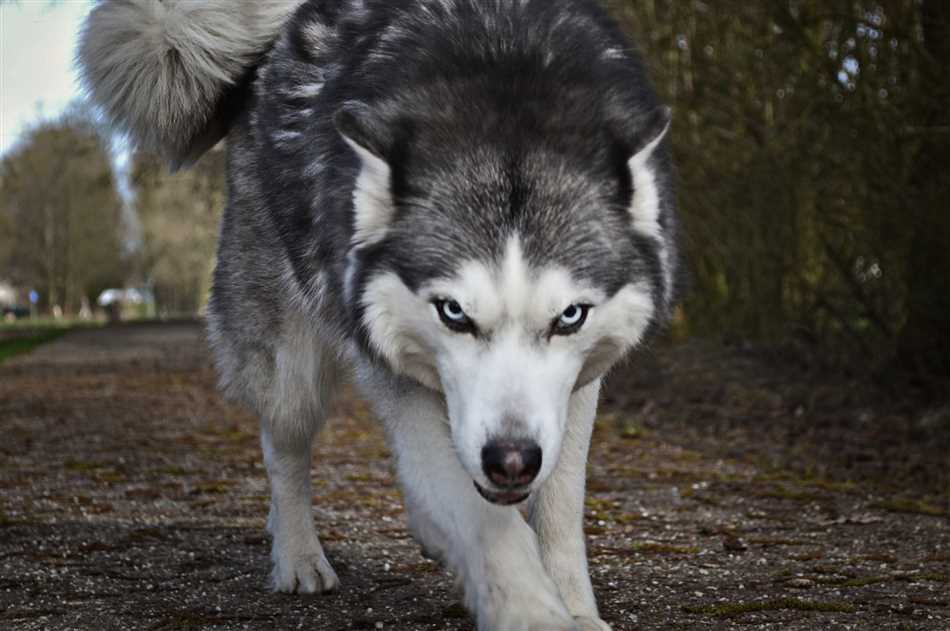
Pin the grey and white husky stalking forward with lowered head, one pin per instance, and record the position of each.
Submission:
(464, 206)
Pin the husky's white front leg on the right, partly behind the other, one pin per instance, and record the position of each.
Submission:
(557, 514)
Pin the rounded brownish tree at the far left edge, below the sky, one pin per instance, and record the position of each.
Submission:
(62, 213)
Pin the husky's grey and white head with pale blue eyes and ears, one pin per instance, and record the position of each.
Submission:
(505, 283)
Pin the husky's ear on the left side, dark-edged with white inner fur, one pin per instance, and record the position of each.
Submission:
(370, 140)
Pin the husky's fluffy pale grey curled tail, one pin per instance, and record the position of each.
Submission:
(163, 70)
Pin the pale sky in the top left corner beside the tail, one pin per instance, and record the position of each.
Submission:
(37, 73)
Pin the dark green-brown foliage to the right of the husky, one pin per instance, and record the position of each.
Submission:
(812, 143)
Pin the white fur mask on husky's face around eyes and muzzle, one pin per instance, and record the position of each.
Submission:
(514, 377)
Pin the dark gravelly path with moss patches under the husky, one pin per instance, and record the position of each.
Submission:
(133, 497)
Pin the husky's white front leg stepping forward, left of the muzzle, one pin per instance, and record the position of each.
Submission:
(491, 548)
